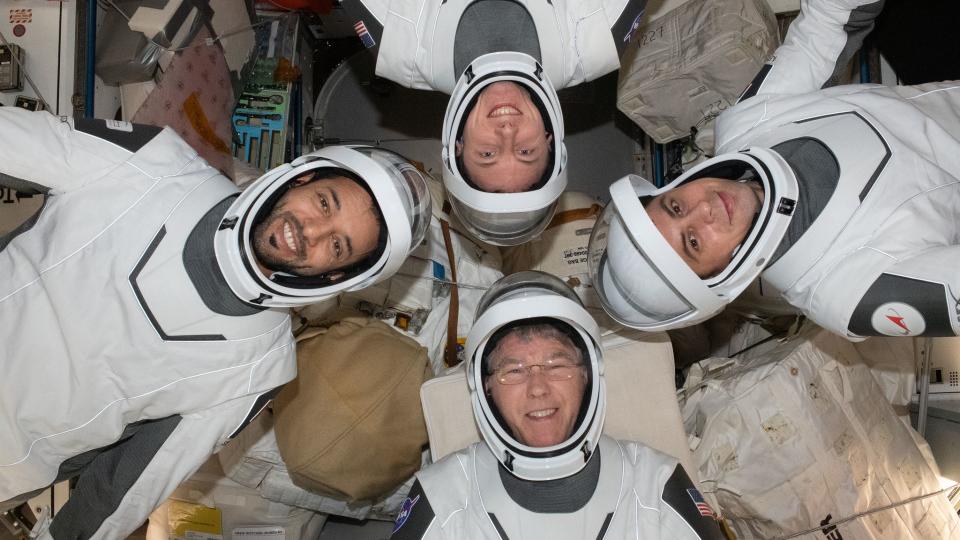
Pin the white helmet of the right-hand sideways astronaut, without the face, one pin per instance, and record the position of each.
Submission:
(642, 282)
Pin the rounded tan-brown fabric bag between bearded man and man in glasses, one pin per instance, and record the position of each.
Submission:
(350, 425)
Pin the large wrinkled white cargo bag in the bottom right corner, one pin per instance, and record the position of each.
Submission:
(803, 437)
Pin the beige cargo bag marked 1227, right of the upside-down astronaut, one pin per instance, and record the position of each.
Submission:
(684, 68)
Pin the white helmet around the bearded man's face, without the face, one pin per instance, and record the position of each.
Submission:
(399, 193)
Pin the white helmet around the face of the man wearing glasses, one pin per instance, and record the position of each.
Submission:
(525, 299)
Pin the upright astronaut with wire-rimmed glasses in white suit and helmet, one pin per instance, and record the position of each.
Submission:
(535, 371)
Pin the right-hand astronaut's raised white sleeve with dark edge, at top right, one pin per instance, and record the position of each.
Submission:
(818, 46)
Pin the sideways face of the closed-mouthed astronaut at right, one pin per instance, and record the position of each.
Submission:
(706, 219)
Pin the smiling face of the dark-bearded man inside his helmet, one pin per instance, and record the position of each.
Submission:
(317, 227)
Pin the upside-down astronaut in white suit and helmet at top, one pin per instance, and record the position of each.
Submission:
(501, 61)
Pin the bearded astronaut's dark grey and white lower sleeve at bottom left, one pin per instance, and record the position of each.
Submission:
(119, 488)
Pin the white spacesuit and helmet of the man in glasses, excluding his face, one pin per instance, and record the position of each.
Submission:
(587, 486)
